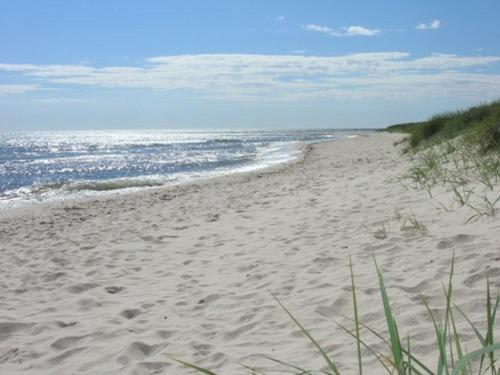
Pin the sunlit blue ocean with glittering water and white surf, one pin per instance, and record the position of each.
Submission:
(49, 166)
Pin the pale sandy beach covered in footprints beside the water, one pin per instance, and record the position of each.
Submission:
(112, 285)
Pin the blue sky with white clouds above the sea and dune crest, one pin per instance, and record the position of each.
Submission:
(124, 64)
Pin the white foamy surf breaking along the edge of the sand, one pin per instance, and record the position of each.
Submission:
(80, 189)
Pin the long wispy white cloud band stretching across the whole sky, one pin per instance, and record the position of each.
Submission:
(281, 77)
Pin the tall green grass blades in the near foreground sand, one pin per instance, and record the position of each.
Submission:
(451, 358)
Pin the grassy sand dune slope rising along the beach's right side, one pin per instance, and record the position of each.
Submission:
(459, 151)
